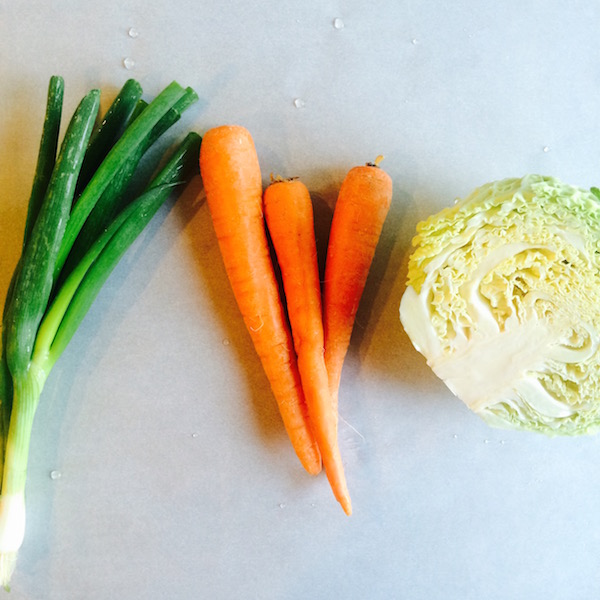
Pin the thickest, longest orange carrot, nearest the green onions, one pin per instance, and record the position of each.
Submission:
(233, 186)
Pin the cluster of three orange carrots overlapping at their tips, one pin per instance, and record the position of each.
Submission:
(294, 353)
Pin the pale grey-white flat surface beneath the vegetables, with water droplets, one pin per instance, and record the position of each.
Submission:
(176, 479)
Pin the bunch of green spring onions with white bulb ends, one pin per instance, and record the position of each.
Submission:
(85, 210)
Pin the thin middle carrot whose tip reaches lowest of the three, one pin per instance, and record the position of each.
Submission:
(289, 216)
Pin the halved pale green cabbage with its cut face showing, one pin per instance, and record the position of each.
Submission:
(503, 300)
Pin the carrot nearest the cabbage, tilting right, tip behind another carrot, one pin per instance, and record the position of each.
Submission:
(363, 203)
